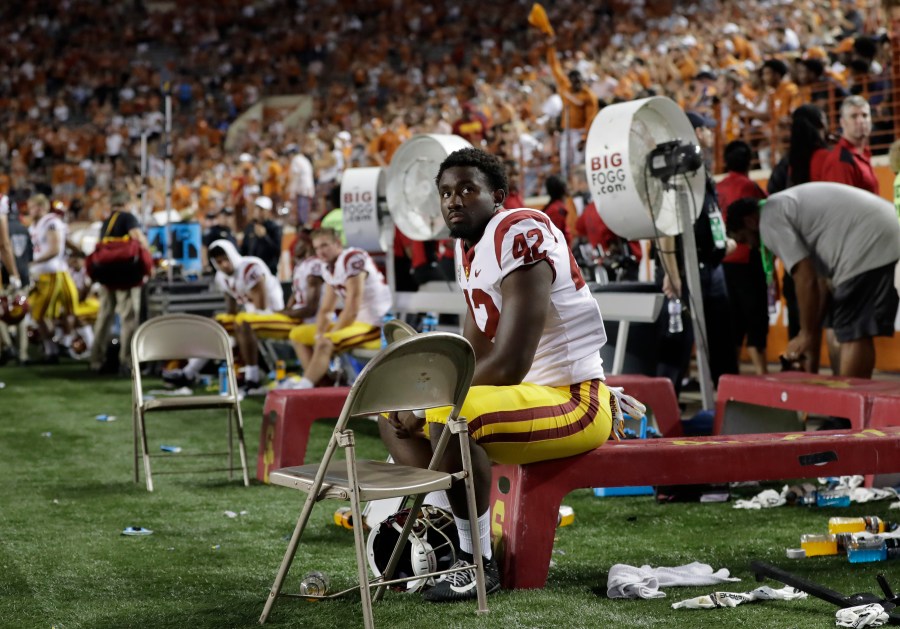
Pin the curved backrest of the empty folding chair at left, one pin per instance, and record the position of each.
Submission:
(180, 336)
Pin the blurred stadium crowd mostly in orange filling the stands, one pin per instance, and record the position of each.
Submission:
(75, 107)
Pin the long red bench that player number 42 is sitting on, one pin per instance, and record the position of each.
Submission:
(525, 499)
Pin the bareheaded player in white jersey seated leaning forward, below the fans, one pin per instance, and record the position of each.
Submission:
(351, 275)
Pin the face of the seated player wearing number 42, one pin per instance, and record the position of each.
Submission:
(467, 202)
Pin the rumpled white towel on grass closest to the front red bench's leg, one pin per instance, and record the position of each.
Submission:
(630, 582)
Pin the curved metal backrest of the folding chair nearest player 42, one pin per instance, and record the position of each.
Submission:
(417, 372)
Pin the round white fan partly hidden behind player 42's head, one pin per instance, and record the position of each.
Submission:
(411, 191)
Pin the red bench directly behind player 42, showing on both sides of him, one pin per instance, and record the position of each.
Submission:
(289, 415)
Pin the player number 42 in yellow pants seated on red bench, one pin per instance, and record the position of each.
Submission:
(538, 391)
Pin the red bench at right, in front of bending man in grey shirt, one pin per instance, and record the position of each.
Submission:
(782, 395)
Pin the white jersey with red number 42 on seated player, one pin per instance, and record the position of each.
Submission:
(569, 349)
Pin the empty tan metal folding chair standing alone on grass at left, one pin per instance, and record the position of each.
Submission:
(179, 337)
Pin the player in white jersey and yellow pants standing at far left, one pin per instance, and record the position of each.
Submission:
(54, 297)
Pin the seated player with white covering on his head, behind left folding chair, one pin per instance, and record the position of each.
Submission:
(251, 291)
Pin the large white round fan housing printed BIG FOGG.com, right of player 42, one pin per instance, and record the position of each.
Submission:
(632, 203)
